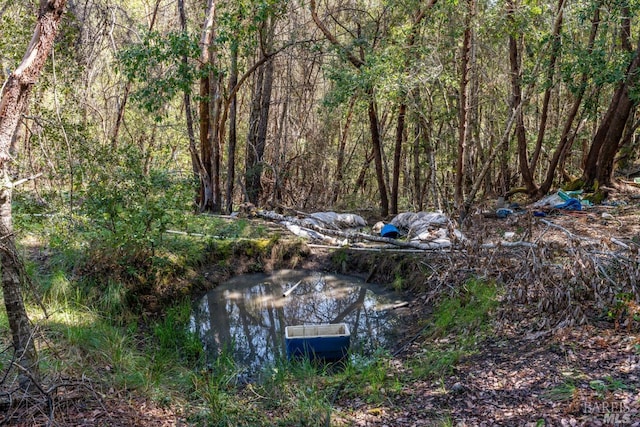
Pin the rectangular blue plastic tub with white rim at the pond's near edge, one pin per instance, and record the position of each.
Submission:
(329, 342)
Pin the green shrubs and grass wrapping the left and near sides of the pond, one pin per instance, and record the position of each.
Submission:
(116, 275)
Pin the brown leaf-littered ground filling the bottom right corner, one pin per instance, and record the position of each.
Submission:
(579, 376)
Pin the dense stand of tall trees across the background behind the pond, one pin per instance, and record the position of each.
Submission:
(395, 105)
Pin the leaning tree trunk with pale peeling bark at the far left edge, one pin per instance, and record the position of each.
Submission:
(14, 101)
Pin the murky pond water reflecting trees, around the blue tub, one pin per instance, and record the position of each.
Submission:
(248, 314)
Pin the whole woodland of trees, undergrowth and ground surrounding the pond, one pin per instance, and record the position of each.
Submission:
(139, 138)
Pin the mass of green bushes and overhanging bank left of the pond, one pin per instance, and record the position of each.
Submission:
(110, 250)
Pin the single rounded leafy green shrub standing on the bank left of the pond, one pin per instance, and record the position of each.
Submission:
(128, 212)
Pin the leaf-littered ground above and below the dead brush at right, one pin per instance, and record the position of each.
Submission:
(568, 374)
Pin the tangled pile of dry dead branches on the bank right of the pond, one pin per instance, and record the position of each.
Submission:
(558, 279)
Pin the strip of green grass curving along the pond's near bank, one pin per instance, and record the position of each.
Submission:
(163, 360)
